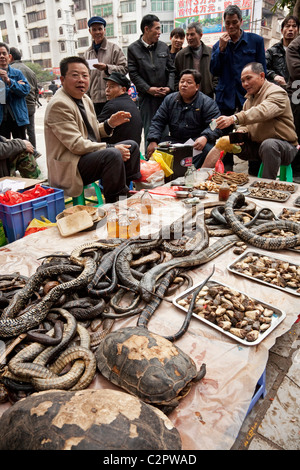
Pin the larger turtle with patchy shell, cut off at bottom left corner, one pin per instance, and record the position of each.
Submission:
(90, 419)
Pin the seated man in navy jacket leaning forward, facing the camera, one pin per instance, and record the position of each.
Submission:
(188, 113)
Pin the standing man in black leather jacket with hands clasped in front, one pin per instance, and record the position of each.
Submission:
(151, 69)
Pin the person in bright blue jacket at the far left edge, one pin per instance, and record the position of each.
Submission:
(13, 109)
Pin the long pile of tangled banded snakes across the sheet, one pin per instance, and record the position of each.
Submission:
(52, 322)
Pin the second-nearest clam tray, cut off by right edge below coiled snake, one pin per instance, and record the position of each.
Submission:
(273, 272)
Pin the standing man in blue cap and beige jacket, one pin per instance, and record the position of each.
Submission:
(110, 59)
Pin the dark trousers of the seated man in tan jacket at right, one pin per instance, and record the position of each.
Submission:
(271, 152)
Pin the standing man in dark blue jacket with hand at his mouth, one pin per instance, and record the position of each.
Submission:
(234, 50)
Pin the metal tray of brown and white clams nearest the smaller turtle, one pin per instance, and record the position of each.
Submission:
(233, 313)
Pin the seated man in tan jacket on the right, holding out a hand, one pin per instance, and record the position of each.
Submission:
(267, 120)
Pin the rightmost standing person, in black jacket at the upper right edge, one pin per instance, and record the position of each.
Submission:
(277, 71)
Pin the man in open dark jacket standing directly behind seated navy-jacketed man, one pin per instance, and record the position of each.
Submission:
(196, 56)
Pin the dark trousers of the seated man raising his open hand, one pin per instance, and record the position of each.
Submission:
(108, 166)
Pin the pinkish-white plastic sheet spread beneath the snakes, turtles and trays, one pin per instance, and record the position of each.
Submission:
(211, 414)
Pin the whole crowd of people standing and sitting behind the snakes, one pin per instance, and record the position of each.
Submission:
(93, 128)
